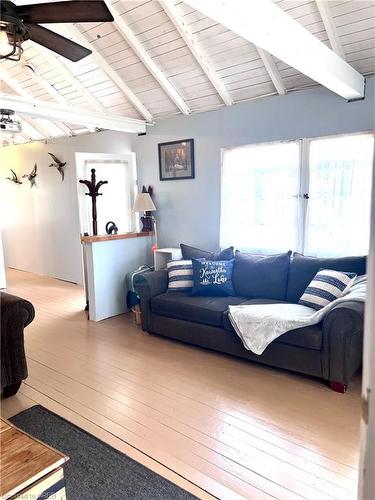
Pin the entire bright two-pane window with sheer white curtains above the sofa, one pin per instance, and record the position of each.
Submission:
(312, 196)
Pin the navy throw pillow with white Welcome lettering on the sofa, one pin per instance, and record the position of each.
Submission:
(212, 277)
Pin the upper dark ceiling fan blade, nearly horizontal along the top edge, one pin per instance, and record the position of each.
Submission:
(76, 11)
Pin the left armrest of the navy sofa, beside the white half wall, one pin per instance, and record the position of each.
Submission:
(148, 285)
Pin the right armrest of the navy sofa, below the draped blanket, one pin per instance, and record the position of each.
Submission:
(343, 341)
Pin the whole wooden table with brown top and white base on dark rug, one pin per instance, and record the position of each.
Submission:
(29, 469)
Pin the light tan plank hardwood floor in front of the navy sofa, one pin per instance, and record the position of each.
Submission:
(215, 425)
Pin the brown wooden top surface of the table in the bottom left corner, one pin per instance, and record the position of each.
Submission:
(24, 459)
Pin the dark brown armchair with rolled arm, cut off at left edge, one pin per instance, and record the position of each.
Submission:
(16, 314)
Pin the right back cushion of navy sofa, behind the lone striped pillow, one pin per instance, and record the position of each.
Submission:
(302, 269)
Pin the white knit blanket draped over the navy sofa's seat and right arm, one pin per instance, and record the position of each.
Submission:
(258, 325)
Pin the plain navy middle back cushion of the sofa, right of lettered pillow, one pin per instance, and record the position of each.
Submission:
(261, 276)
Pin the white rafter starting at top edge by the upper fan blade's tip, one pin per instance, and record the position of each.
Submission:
(147, 60)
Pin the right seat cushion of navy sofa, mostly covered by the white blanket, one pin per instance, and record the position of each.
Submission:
(309, 337)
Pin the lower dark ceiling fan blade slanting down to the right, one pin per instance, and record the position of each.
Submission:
(57, 43)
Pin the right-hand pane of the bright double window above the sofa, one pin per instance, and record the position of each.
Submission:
(338, 215)
